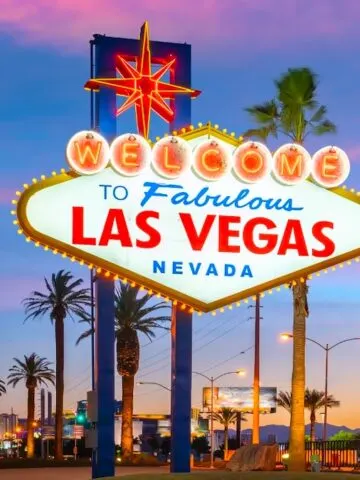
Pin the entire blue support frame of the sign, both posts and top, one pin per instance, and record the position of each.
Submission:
(181, 363)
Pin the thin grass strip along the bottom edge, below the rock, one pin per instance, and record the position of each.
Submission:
(243, 476)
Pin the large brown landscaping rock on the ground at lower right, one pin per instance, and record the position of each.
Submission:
(253, 457)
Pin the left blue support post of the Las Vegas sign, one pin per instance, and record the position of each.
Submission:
(103, 464)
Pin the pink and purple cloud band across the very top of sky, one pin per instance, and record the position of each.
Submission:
(246, 23)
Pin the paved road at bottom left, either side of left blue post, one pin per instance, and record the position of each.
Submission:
(70, 473)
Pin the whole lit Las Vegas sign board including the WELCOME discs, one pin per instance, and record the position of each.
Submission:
(198, 217)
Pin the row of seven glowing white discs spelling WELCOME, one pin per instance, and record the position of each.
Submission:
(129, 155)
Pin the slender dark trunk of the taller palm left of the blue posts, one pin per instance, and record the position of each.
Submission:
(59, 341)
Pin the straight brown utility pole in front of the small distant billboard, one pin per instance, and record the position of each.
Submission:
(256, 383)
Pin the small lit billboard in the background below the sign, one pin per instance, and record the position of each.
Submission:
(240, 398)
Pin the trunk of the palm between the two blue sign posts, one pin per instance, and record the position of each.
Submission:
(127, 414)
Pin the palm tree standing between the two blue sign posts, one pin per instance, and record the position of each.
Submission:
(133, 314)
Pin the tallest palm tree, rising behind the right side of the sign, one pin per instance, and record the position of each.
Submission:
(296, 114)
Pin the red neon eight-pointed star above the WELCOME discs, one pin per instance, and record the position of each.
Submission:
(143, 89)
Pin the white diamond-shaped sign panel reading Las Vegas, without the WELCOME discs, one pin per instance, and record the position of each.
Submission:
(205, 243)
